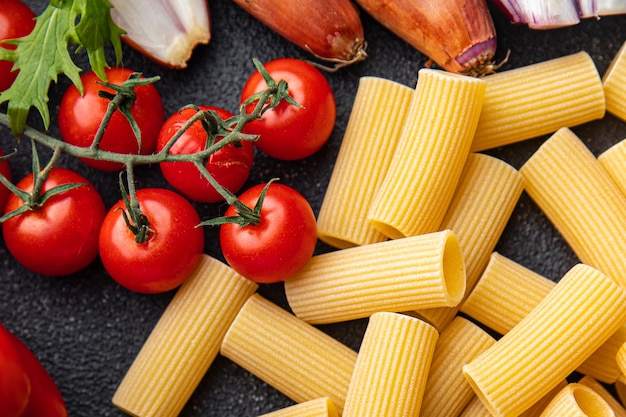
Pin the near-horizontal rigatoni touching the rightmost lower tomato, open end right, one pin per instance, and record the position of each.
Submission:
(397, 275)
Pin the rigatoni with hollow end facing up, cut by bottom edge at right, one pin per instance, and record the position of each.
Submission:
(577, 400)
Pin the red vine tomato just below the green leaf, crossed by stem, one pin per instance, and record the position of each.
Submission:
(81, 116)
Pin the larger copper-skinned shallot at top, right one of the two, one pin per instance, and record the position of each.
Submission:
(458, 35)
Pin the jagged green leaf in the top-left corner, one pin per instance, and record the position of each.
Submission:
(43, 55)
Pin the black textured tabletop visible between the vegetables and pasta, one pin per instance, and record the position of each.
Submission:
(86, 329)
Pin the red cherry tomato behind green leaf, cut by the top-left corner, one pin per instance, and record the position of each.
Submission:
(16, 20)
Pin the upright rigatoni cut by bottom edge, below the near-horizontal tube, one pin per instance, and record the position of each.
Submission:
(392, 367)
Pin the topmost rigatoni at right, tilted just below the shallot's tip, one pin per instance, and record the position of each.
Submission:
(538, 99)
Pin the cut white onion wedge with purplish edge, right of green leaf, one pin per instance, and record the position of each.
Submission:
(166, 31)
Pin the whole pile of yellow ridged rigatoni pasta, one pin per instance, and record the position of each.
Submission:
(415, 224)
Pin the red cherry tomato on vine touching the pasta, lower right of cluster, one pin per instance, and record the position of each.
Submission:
(280, 245)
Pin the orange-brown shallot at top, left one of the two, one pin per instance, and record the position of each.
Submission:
(329, 29)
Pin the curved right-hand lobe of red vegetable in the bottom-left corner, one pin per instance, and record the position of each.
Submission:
(45, 399)
